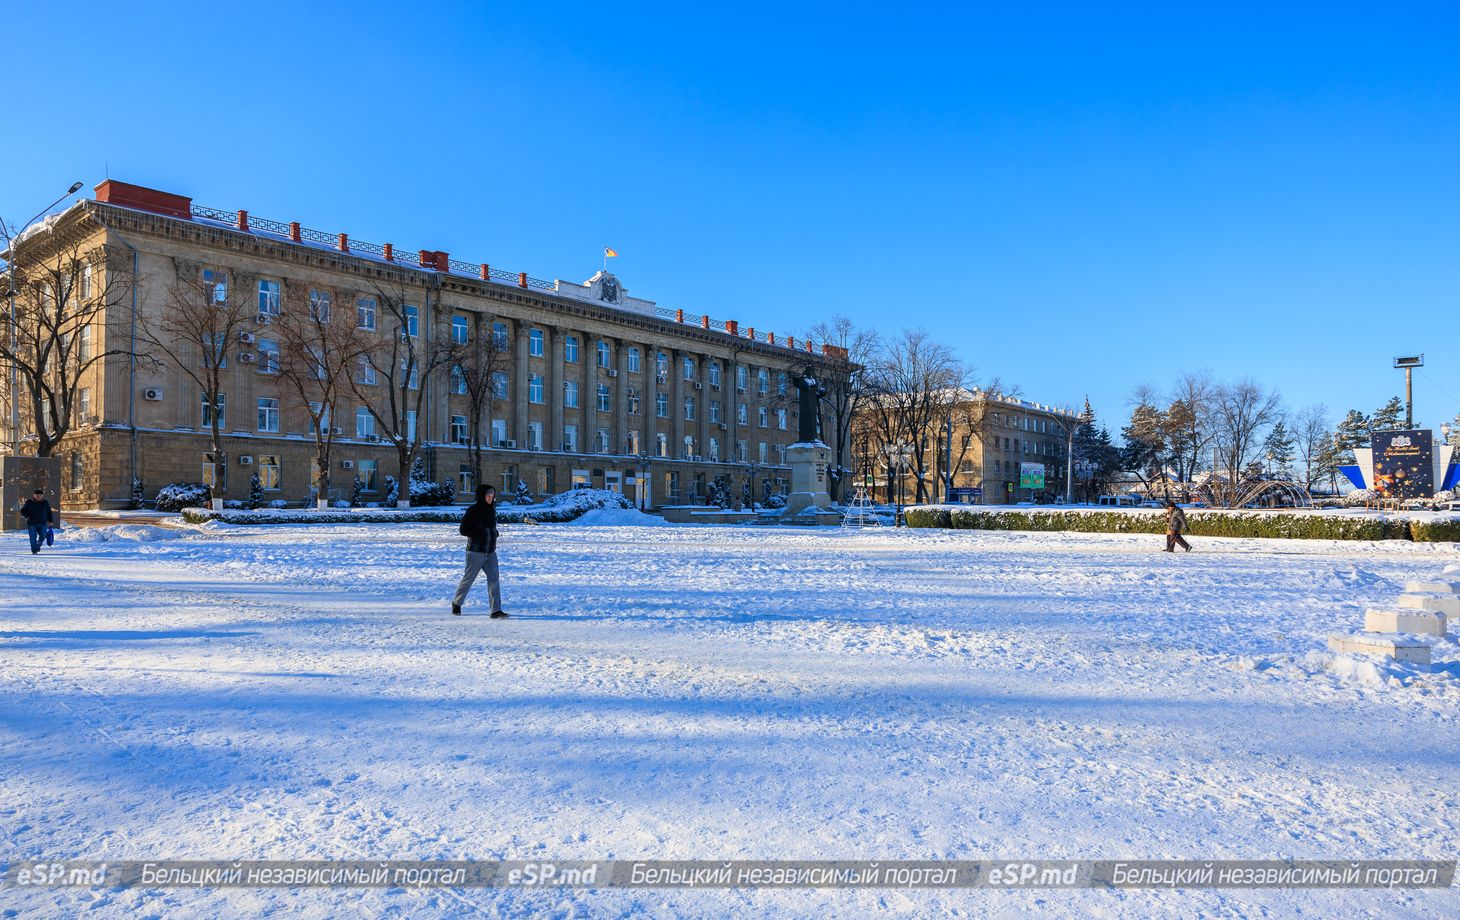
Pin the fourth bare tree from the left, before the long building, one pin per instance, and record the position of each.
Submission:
(395, 369)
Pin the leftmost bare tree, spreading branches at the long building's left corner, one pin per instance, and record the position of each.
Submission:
(64, 291)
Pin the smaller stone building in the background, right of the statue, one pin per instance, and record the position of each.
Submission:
(1004, 451)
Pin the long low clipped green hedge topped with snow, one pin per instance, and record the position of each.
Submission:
(1199, 524)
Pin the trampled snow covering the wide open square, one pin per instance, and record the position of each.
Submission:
(713, 693)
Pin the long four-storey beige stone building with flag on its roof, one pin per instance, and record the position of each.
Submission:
(596, 388)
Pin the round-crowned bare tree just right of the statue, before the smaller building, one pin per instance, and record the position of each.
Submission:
(915, 385)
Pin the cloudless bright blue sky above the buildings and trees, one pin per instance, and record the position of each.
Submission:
(1078, 201)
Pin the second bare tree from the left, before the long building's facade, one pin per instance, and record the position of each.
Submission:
(202, 321)
